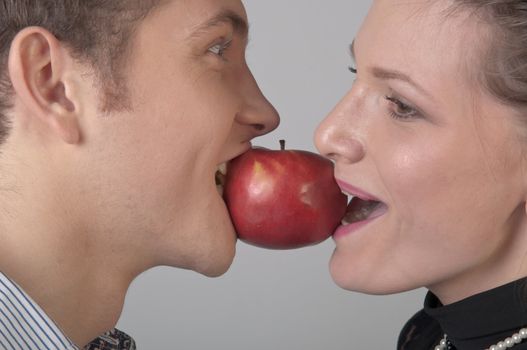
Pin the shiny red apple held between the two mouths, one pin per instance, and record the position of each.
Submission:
(283, 199)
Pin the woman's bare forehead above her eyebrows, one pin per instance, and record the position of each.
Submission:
(422, 37)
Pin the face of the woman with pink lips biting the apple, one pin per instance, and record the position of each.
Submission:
(444, 158)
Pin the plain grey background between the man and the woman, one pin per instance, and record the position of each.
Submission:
(276, 299)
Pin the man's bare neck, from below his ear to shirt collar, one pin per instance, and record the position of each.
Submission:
(55, 244)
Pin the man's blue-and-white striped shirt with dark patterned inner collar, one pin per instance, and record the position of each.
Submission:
(25, 326)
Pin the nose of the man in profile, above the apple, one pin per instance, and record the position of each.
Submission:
(257, 112)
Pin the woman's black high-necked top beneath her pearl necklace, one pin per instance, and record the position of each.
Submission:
(474, 323)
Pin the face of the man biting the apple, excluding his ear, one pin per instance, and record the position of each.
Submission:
(194, 105)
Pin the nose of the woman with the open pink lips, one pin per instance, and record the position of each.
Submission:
(337, 136)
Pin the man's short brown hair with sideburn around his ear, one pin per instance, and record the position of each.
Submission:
(96, 31)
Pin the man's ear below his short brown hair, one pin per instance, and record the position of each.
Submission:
(40, 68)
